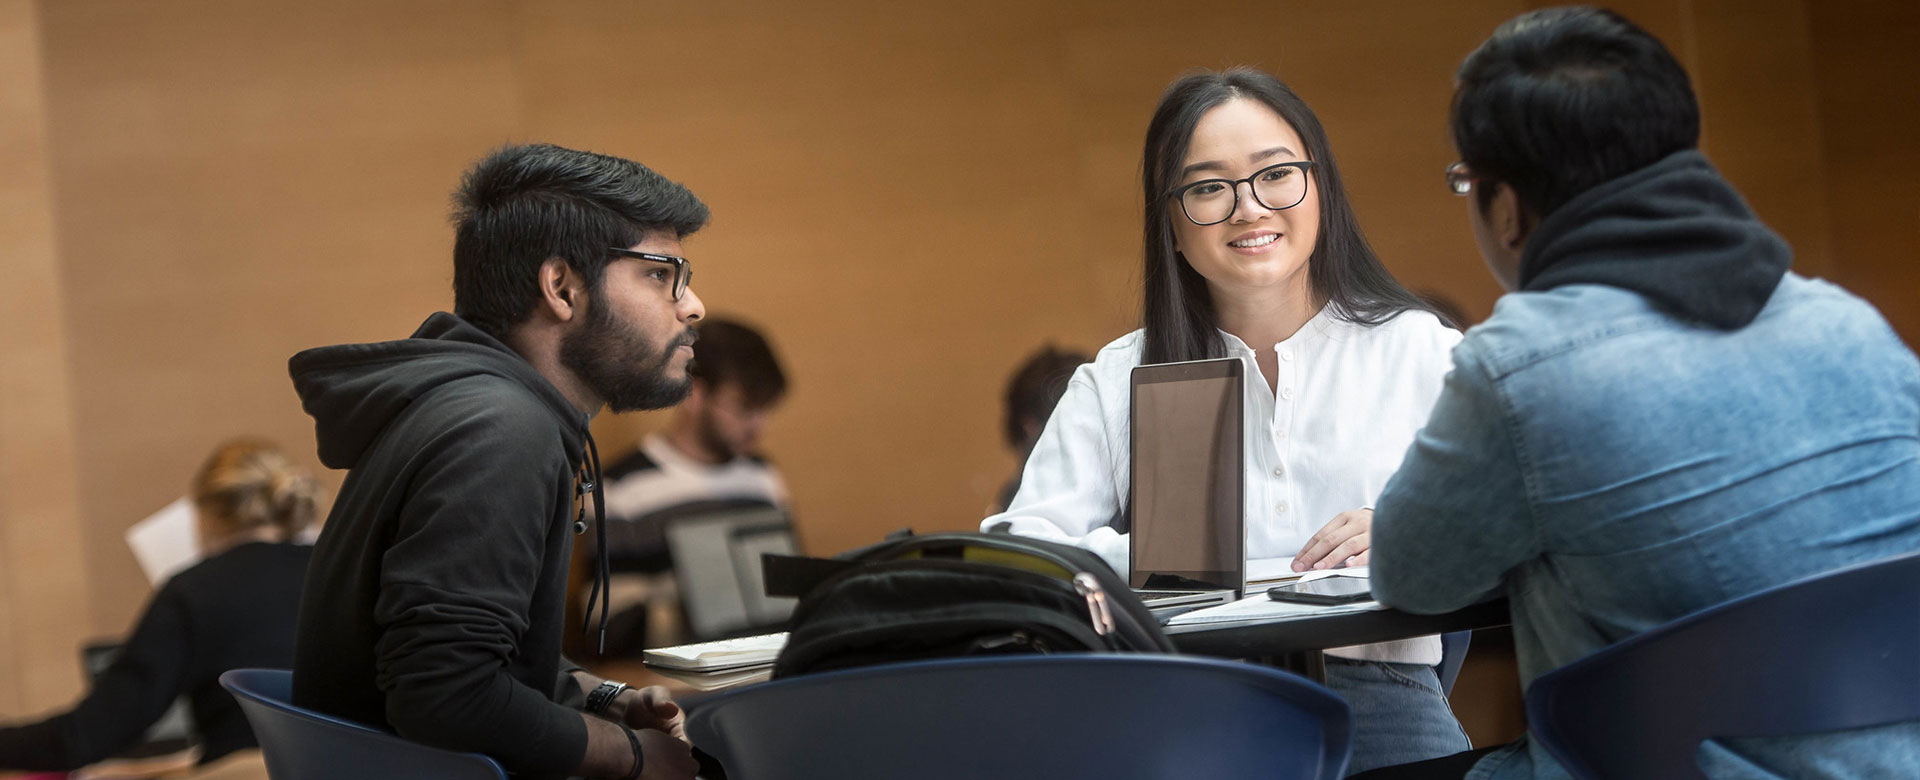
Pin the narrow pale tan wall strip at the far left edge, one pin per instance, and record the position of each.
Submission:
(43, 572)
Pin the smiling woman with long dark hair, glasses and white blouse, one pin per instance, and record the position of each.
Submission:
(1253, 253)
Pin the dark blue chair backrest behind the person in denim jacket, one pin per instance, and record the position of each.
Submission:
(1840, 650)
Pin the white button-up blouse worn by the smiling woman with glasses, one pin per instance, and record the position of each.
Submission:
(1322, 443)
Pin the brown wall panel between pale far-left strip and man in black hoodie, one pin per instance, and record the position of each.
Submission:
(243, 182)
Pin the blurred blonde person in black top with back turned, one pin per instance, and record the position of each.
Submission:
(235, 608)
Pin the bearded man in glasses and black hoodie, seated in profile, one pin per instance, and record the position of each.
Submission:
(437, 593)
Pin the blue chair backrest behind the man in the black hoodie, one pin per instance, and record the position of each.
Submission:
(302, 744)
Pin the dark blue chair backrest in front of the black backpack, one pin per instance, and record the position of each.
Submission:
(1109, 716)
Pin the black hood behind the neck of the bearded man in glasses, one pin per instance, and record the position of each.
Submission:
(354, 391)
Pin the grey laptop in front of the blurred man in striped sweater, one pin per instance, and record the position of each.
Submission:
(717, 560)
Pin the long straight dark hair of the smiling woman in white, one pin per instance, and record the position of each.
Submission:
(1180, 310)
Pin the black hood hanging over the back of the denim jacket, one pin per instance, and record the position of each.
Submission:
(1675, 233)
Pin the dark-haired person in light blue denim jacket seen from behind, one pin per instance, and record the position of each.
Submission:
(1660, 418)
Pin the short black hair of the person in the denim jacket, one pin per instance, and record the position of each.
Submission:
(1564, 99)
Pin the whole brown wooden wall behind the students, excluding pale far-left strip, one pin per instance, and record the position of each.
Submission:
(909, 197)
